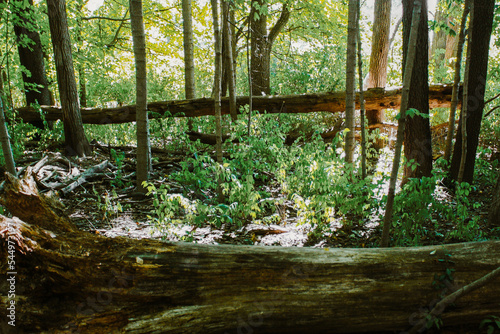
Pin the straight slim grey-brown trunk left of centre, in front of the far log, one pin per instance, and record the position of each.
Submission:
(143, 146)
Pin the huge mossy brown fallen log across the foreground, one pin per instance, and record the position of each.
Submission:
(69, 281)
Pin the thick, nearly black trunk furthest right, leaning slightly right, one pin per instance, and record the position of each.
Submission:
(482, 21)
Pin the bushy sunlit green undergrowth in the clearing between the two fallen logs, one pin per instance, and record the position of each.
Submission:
(259, 174)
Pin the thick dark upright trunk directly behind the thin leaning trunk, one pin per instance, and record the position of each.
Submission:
(417, 139)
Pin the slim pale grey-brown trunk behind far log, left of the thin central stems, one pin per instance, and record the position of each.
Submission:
(187, 21)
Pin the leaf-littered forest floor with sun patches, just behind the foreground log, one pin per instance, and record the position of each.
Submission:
(108, 205)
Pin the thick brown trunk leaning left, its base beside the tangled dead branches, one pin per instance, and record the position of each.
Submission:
(75, 140)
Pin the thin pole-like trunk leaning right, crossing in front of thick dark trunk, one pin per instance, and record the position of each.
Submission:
(408, 73)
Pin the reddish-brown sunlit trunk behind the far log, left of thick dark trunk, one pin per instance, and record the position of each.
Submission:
(377, 75)
